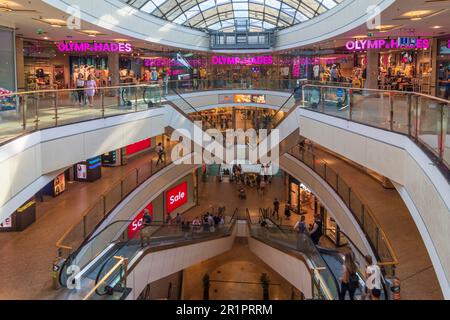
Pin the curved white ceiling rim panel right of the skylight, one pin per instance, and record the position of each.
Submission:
(345, 17)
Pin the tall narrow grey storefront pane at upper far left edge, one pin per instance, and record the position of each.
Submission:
(7, 68)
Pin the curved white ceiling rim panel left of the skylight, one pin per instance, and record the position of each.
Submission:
(128, 21)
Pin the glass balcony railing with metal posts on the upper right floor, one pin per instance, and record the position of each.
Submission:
(424, 119)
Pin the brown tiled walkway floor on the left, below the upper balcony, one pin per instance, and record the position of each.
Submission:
(26, 257)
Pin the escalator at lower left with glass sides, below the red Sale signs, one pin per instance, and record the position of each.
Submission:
(97, 258)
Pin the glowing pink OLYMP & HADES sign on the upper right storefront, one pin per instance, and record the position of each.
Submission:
(400, 43)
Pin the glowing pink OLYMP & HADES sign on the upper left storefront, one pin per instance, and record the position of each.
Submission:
(95, 47)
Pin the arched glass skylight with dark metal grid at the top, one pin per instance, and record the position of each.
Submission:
(222, 15)
